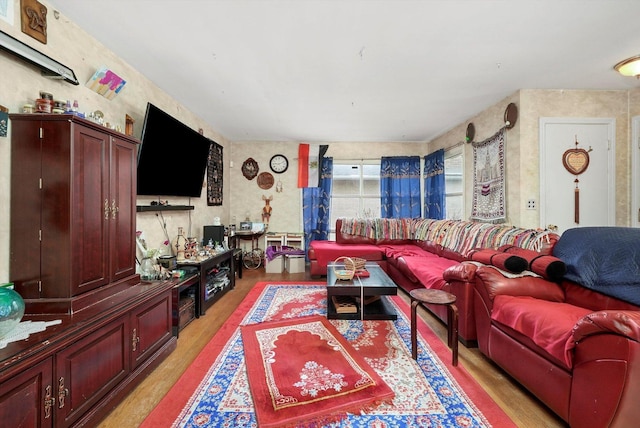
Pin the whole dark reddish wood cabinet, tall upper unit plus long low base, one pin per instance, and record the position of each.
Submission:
(72, 258)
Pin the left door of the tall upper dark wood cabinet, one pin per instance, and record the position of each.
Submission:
(91, 210)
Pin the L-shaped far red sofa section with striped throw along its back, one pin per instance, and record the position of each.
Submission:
(416, 252)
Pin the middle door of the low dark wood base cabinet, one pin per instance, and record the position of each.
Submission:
(90, 368)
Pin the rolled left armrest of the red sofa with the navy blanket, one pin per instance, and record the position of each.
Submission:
(495, 284)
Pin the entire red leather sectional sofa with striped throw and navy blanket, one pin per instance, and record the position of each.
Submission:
(573, 340)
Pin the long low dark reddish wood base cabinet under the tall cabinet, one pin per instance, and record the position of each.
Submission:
(75, 373)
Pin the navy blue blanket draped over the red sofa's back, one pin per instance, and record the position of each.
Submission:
(604, 259)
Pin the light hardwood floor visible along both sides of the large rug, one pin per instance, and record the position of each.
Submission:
(524, 409)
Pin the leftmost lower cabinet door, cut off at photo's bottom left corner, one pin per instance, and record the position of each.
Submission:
(27, 400)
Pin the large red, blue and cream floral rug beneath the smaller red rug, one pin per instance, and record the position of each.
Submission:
(430, 392)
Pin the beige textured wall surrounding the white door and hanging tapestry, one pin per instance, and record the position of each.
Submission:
(522, 143)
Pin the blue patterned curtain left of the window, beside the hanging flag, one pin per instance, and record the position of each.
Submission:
(316, 204)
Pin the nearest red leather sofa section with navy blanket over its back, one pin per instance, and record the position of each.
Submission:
(575, 343)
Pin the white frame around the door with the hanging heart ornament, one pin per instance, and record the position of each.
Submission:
(611, 158)
